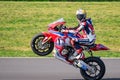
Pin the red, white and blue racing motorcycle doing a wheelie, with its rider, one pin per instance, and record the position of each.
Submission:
(69, 45)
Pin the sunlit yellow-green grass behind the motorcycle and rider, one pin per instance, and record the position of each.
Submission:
(20, 21)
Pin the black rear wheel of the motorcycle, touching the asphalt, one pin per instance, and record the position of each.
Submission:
(98, 65)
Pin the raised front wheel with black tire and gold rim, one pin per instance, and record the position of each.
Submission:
(37, 47)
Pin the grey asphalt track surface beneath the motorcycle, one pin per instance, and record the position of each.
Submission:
(49, 69)
